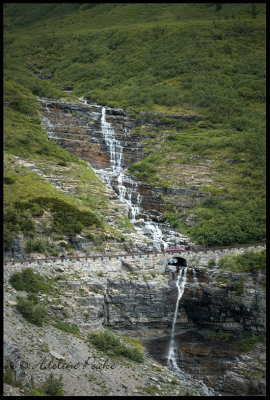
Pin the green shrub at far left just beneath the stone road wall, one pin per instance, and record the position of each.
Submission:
(29, 281)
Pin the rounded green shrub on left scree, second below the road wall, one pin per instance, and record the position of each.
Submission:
(31, 310)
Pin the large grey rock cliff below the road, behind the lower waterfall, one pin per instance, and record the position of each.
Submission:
(139, 297)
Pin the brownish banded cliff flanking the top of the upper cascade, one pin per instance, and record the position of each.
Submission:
(77, 128)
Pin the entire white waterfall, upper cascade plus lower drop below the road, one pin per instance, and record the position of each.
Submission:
(129, 193)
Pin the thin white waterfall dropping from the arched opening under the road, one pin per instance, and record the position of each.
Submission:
(172, 353)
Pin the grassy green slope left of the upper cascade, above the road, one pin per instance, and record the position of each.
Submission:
(32, 205)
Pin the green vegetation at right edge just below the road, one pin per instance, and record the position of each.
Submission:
(249, 261)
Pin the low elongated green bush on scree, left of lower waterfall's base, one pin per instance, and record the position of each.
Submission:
(110, 344)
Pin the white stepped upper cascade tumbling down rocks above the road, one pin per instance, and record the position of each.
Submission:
(128, 188)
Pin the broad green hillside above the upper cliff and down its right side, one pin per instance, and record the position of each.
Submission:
(205, 59)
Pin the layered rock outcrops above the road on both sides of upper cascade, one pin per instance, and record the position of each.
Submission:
(77, 128)
